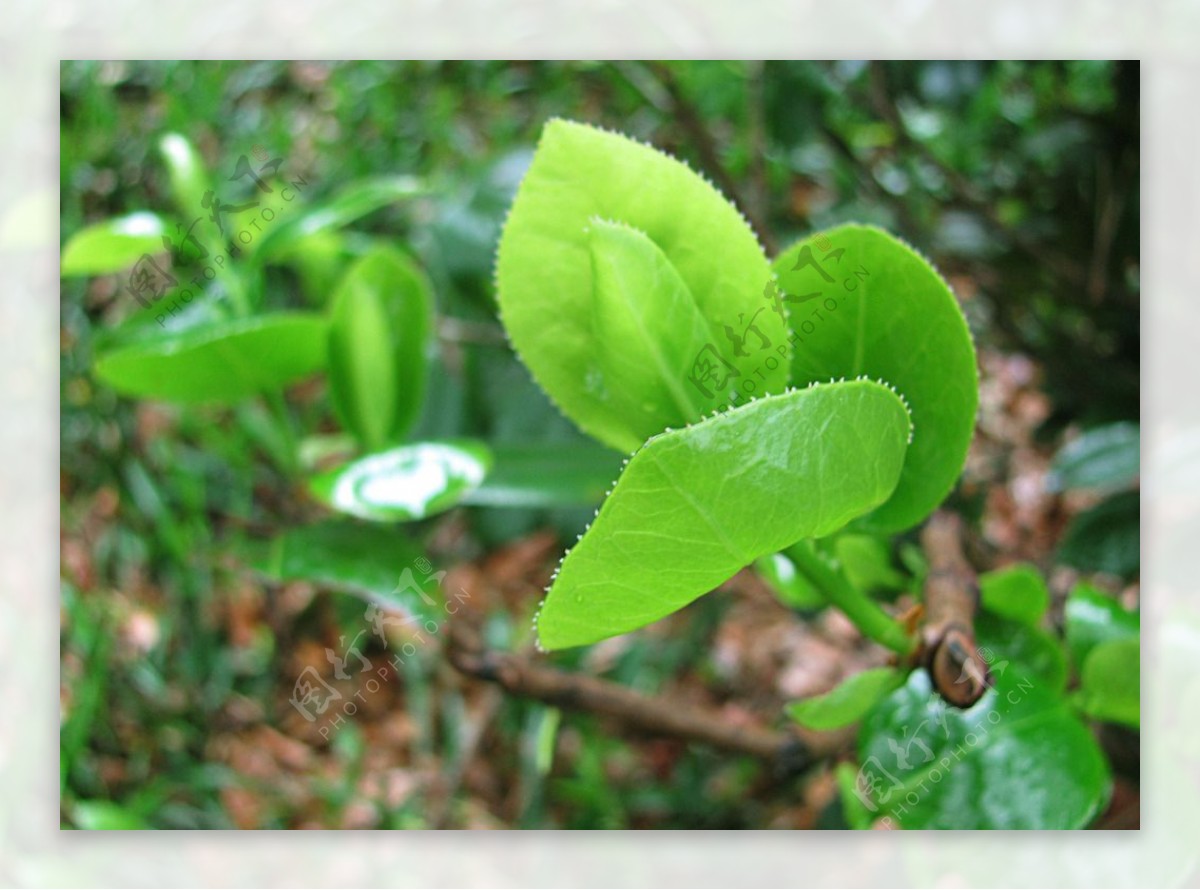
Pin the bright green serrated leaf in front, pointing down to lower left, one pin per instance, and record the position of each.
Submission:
(697, 506)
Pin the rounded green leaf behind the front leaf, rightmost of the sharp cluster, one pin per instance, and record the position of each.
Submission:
(862, 303)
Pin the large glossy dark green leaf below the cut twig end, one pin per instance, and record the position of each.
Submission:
(1017, 760)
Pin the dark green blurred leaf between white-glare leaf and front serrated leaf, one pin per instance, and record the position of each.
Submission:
(548, 476)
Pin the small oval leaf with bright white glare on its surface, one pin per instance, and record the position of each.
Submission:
(407, 483)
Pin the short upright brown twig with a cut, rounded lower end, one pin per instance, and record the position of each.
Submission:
(952, 594)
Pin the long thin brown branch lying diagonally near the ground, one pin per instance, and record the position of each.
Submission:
(789, 751)
